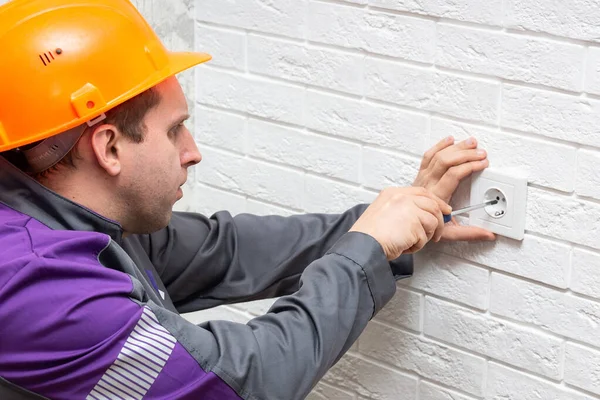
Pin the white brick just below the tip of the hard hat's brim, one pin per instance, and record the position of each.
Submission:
(252, 95)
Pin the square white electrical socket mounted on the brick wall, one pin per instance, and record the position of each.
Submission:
(507, 217)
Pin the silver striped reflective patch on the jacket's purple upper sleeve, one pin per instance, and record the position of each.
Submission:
(137, 366)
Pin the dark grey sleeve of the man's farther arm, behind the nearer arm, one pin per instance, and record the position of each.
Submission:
(205, 262)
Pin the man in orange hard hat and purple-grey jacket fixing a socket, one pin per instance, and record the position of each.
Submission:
(95, 267)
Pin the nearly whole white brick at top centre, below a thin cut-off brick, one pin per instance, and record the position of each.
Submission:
(376, 32)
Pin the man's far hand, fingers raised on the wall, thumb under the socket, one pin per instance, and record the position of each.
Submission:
(442, 169)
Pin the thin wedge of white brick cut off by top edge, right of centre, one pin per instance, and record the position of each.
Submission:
(489, 13)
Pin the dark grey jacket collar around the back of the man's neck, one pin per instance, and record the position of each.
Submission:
(24, 194)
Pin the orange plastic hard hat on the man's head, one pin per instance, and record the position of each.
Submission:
(65, 62)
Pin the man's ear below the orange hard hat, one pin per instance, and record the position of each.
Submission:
(107, 146)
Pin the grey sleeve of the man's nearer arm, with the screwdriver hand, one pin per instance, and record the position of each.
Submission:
(284, 353)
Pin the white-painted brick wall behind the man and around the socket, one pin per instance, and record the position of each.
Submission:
(315, 105)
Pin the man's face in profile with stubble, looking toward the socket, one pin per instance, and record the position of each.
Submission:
(154, 170)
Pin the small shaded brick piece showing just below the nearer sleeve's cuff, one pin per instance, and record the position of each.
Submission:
(404, 310)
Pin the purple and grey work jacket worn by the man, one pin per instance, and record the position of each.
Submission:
(88, 314)
